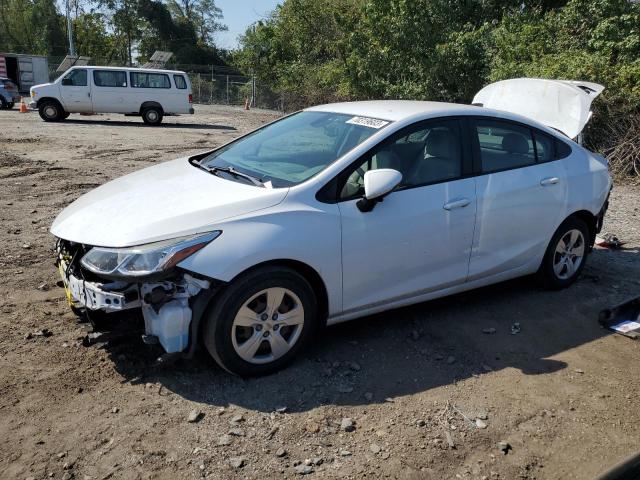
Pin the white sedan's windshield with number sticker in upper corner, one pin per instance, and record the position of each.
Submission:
(295, 148)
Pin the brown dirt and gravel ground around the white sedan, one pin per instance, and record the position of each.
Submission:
(563, 392)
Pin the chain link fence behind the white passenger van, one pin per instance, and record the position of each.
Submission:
(211, 85)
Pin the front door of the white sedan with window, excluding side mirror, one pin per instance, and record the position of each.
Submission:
(418, 239)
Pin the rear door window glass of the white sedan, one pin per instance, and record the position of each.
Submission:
(504, 145)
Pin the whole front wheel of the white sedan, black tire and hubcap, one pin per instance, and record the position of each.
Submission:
(229, 342)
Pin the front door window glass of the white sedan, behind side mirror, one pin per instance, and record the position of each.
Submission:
(424, 154)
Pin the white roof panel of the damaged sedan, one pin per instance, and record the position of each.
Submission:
(395, 110)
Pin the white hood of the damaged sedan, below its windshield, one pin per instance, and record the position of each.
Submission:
(165, 201)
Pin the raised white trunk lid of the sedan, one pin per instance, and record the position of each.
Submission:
(561, 104)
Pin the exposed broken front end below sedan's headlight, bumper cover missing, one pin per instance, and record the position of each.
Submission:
(169, 303)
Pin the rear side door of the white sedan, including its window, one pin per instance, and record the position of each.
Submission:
(522, 197)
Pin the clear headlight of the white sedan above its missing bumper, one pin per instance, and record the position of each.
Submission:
(145, 259)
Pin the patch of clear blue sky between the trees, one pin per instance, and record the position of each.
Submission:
(238, 15)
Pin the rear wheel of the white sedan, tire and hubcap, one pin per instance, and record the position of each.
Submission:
(561, 267)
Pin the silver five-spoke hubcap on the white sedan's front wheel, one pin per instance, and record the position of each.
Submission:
(267, 325)
